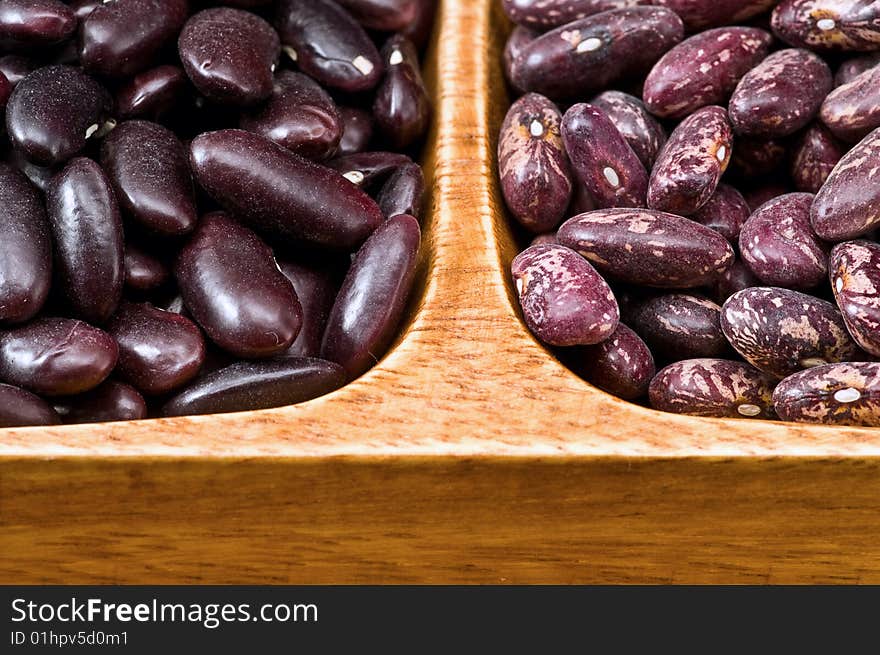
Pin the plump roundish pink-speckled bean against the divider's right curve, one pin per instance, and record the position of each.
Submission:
(564, 300)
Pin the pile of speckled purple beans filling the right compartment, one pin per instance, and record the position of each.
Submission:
(700, 181)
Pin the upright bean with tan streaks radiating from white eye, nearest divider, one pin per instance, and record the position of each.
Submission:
(532, 163)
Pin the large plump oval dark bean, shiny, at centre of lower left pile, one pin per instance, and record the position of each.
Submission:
(232, 287)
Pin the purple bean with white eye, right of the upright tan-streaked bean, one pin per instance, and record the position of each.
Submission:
(602, 159)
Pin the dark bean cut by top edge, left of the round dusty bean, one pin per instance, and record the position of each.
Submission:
(108, 44)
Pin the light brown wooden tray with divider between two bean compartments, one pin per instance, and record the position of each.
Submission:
(469, 454)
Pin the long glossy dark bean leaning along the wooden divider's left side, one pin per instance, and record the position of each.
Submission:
(370, 304)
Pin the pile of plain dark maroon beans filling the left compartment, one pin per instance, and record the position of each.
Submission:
(203, 208)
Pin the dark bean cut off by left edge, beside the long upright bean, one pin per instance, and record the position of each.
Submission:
(26, 264)
